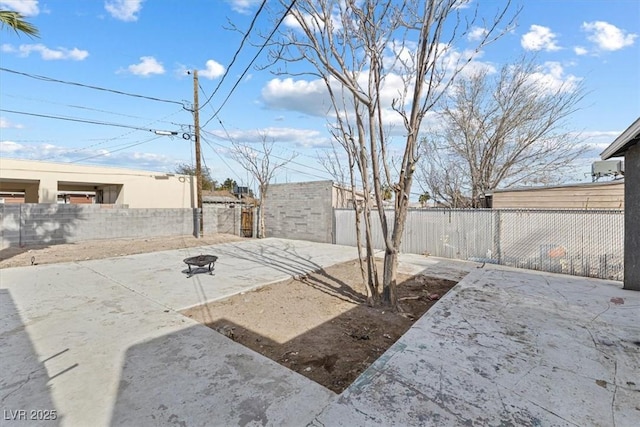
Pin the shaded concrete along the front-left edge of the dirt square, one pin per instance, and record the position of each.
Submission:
(195, 376)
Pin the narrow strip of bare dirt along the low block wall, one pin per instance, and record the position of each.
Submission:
(99, 249)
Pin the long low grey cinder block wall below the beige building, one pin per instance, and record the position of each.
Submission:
(31, 224)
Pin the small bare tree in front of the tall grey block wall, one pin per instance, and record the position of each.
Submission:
(261, 164)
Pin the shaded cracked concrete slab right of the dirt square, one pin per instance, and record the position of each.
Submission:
(508, 347)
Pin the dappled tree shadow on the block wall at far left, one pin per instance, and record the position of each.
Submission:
(36, 226)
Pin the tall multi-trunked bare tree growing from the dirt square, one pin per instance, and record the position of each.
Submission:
(367, 46)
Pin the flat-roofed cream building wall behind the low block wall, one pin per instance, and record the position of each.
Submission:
(41, 182)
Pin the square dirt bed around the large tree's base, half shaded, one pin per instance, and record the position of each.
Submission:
(319, 325)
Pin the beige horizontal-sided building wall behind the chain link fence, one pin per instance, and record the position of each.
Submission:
(597, 195)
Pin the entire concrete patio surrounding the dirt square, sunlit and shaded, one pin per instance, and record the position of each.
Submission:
(102, 343)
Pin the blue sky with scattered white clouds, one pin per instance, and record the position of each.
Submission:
(147, 47)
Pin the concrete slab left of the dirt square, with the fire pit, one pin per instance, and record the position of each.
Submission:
(99, 342)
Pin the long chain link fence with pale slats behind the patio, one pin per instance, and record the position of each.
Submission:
(579, 242)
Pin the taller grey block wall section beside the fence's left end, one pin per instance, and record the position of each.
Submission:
(300, 211)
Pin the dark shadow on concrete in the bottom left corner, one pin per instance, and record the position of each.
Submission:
(24, 381)
